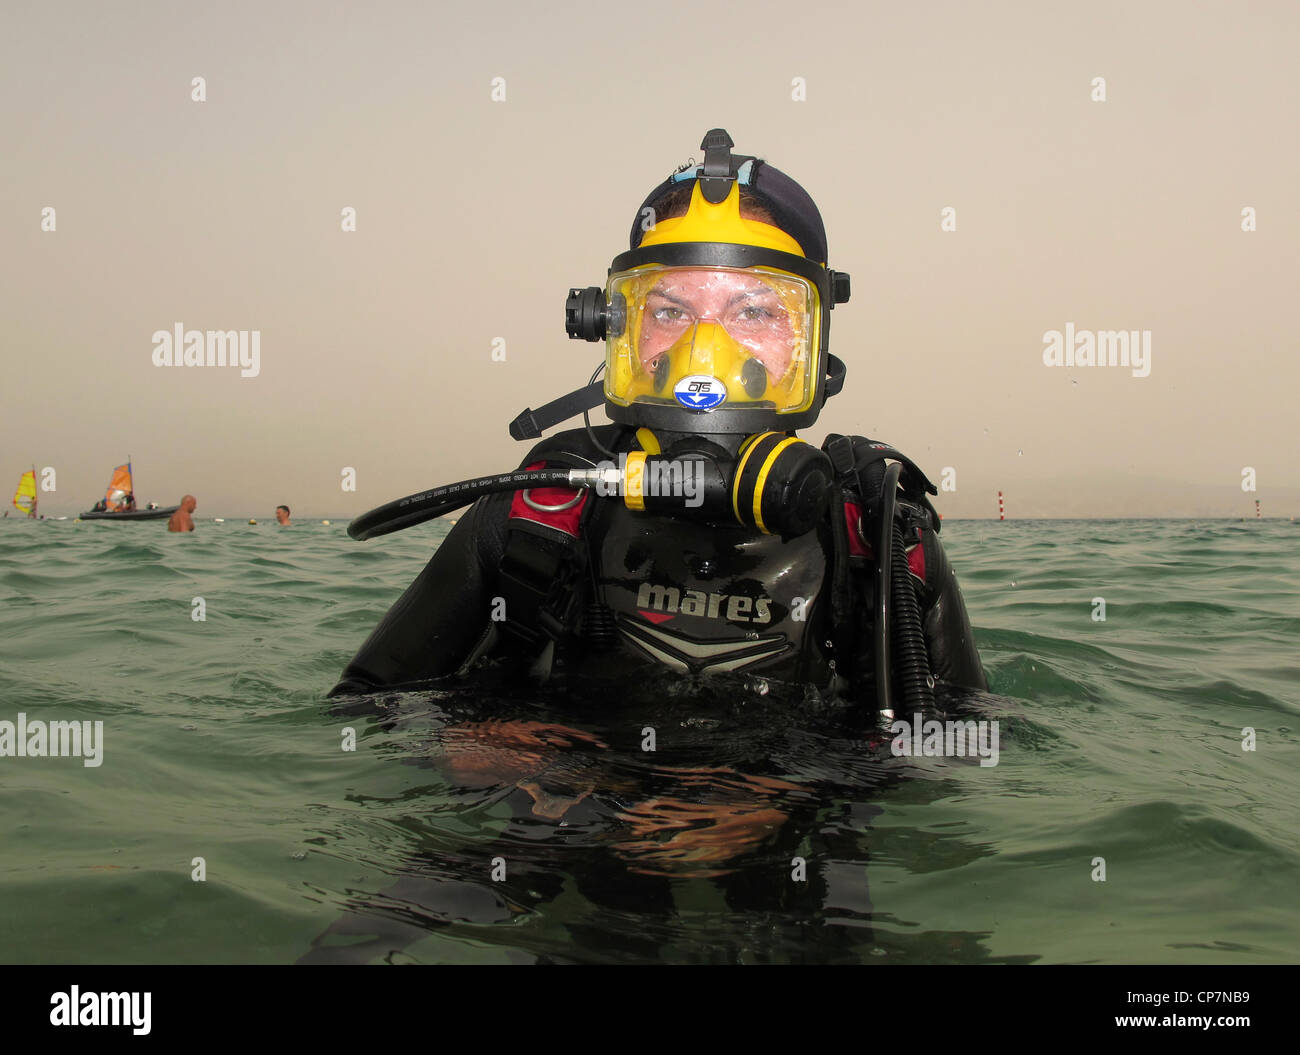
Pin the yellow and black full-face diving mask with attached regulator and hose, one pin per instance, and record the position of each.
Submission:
(717, 328)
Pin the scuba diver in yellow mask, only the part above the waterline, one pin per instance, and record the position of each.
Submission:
(697, 535)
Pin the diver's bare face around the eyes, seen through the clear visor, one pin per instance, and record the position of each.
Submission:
(744, 305)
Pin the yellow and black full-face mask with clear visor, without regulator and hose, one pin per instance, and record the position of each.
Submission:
(716, 322)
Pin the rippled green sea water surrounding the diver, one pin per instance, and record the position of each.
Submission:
(1121, 748)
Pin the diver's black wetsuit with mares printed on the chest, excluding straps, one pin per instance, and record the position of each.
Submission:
(686, 598)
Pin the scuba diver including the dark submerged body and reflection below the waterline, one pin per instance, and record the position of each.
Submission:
(695, 544)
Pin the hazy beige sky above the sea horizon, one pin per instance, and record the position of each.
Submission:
(474, 218)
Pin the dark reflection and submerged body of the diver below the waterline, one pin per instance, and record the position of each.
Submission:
(744, 837)
